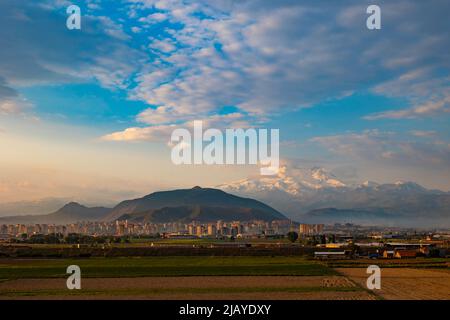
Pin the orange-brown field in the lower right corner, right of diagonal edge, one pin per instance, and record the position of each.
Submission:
(406, 283)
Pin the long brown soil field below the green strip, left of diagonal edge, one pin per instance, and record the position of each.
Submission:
(209, 287)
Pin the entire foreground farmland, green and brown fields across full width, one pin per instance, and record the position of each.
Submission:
(223, 277)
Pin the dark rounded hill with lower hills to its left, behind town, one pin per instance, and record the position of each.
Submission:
(186, 205)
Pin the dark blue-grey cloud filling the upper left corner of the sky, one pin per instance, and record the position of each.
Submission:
(35, 56)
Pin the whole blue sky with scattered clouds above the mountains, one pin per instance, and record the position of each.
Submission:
(88, 113)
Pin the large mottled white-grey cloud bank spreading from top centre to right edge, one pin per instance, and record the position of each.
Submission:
(266, 58)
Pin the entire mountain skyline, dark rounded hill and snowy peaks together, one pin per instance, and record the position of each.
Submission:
(309, 195)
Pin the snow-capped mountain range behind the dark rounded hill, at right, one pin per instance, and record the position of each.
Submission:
(316, 195)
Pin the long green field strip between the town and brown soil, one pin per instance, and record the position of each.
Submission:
(163, 266)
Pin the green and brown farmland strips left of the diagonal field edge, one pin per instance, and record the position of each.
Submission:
(177, 278)
